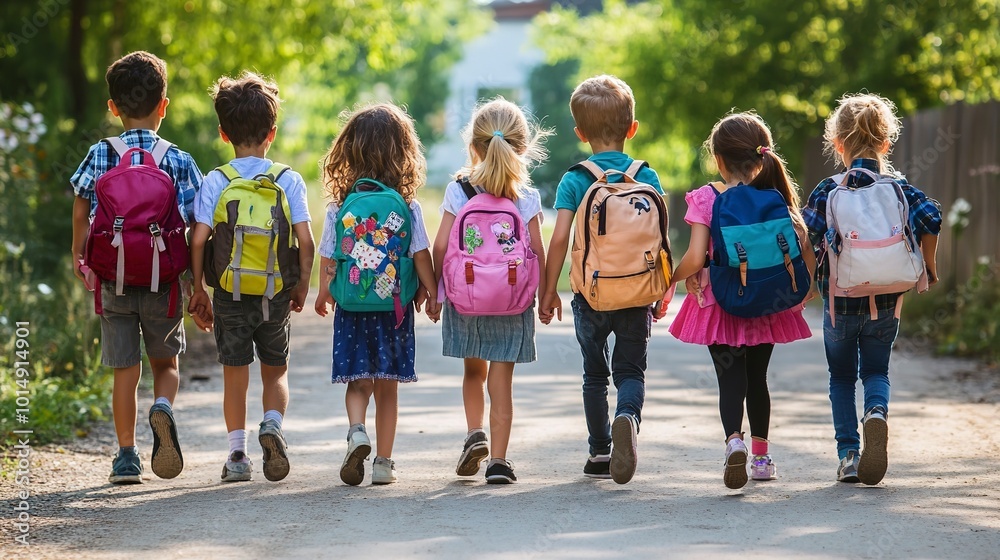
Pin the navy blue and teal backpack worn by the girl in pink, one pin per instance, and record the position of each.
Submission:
(757, 267)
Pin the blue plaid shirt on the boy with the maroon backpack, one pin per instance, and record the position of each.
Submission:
(178, 164)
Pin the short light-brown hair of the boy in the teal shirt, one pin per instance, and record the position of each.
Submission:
(603, 108)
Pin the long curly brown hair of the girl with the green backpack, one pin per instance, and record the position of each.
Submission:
(377, 142)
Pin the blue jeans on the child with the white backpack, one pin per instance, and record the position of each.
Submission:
(858, 346)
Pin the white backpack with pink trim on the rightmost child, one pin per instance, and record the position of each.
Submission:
(870, 242)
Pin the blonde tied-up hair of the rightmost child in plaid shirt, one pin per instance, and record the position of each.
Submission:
(864, 124)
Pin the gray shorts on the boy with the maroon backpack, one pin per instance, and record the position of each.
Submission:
(139, 313)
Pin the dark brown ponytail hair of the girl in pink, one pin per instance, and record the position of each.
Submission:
(743, 142)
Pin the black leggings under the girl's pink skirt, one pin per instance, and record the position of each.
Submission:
(742, 373)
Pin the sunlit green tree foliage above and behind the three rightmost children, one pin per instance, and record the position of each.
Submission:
(690, 62)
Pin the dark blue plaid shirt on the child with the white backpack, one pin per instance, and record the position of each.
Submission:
(925, 218)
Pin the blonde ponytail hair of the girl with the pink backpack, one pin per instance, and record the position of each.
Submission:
(502, 147)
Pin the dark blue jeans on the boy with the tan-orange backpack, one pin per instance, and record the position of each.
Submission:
(625, 365)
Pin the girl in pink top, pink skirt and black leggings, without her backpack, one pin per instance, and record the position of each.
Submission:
(740, 347)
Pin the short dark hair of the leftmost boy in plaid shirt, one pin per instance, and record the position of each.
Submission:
(137, 82)
